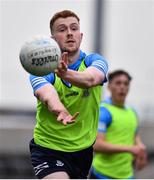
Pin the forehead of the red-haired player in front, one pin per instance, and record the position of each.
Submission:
(65, 22)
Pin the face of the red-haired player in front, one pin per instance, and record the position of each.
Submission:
(66, 31)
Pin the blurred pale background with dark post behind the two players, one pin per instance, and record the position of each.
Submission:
(121, 30)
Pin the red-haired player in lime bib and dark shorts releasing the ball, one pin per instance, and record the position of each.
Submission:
(62, 144)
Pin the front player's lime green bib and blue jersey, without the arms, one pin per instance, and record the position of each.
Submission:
(52, 134)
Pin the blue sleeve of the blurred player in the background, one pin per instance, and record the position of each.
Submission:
(105, 119)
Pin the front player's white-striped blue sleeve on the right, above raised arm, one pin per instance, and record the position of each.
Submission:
(97, 61)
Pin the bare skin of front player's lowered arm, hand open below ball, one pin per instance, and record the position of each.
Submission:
(48, 95)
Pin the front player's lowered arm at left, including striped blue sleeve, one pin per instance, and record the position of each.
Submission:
(46, 93)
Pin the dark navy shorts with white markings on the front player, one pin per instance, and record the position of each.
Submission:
(46, 161)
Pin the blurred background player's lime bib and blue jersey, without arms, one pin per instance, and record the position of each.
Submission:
(119, 126)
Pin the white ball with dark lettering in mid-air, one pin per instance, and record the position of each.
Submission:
(40, 55)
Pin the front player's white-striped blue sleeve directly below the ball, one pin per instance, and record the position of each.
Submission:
(39, 81)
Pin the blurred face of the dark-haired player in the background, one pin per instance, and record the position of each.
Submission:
(119, 87)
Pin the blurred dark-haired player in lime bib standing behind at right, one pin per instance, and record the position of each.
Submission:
(118, 144)
